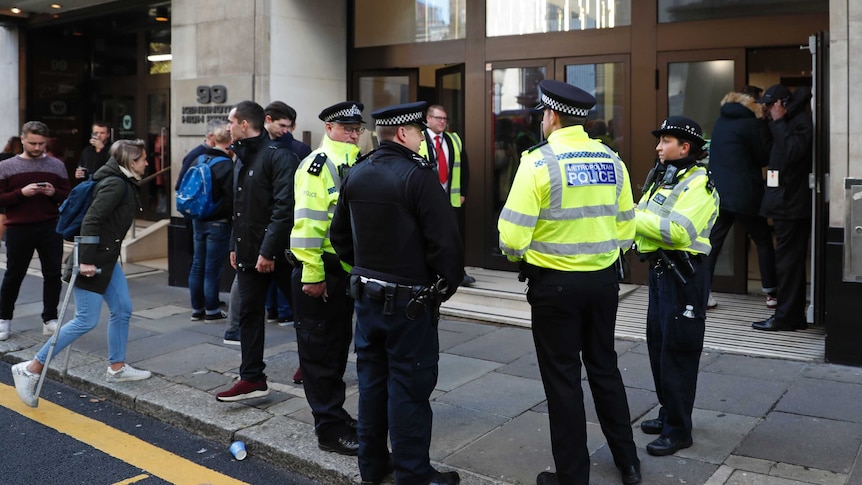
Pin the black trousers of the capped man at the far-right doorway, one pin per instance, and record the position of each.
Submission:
(791, 251)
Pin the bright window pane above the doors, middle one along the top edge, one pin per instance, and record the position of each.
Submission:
(518, 17)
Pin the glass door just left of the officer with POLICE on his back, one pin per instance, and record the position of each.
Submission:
(515, 126)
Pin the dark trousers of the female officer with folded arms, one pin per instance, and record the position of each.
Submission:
(675, 341)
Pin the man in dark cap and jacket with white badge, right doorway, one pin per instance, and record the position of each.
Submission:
(788, 201)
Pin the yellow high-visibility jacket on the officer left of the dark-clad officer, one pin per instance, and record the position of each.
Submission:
(317, 184)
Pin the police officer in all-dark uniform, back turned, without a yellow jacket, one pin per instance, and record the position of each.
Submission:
(394, 225)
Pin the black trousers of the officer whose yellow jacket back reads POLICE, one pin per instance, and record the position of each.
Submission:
(573, 315)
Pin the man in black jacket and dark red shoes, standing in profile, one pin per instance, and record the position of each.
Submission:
(263, 219)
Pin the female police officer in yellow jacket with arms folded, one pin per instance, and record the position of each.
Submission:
(674, 218)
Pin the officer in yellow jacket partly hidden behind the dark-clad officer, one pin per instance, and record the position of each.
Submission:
(324, 310)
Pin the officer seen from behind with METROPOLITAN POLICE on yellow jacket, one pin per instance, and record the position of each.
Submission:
(567, 217)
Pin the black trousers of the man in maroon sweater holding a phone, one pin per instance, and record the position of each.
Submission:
(21, 241)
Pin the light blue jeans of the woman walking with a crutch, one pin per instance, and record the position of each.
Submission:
(87, 307)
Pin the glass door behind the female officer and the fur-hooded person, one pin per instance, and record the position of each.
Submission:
(693, 84)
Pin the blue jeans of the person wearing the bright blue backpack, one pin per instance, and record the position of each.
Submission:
(210, 253)
